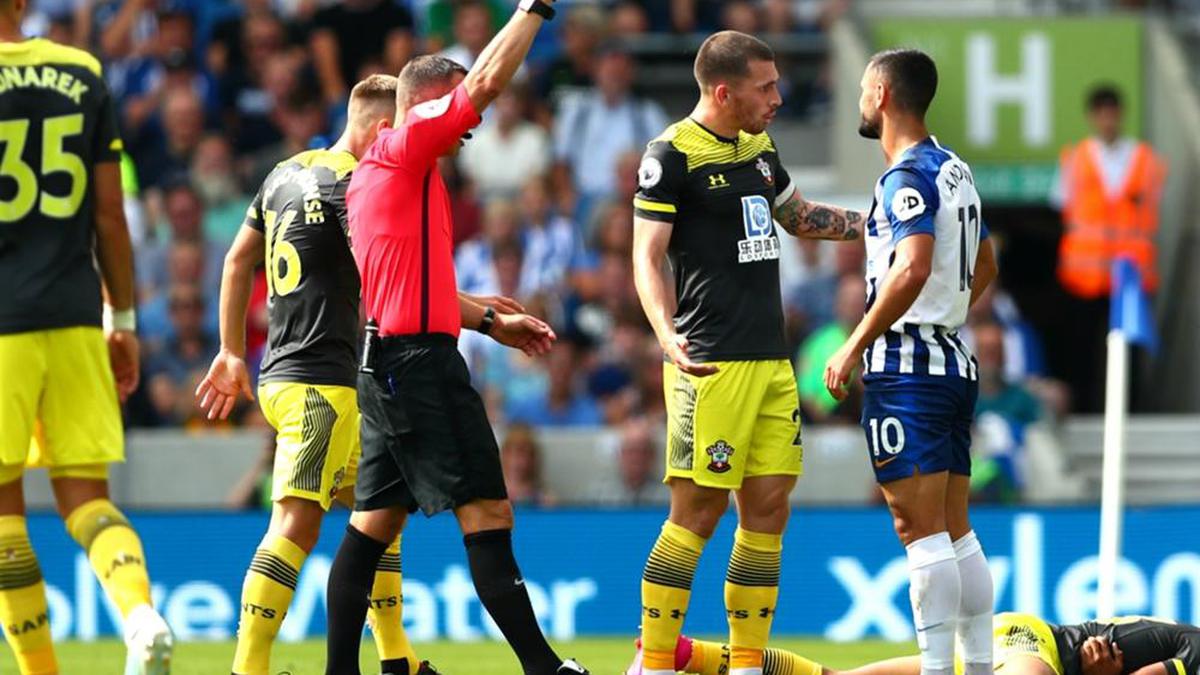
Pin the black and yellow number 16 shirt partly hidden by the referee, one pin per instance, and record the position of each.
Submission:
(313, 285)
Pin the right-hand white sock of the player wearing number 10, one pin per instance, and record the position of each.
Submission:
(975, 606)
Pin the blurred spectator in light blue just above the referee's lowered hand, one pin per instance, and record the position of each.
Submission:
(550, 242)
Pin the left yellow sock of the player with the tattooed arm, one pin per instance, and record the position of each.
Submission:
(667, 589)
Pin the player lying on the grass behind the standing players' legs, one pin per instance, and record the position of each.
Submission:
(1023, 644)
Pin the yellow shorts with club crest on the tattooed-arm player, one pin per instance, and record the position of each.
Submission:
(745, 421)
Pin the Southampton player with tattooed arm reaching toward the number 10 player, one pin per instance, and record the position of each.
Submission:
(709, 188)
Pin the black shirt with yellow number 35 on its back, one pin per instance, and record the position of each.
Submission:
(57, 124)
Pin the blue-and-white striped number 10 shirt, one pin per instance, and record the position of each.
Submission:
(929, 190)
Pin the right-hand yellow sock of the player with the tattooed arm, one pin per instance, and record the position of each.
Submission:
(752, 589)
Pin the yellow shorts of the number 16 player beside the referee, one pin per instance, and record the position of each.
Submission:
(316, 439)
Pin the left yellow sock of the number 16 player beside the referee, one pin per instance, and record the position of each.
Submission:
(266, 596)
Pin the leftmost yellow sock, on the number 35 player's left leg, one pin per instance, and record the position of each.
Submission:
(23, 613)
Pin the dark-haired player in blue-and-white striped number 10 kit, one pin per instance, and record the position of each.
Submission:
(928, 260)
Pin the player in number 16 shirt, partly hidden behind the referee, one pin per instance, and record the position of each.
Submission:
(297, 225)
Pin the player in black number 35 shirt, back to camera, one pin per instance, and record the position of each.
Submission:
(62, 219)
